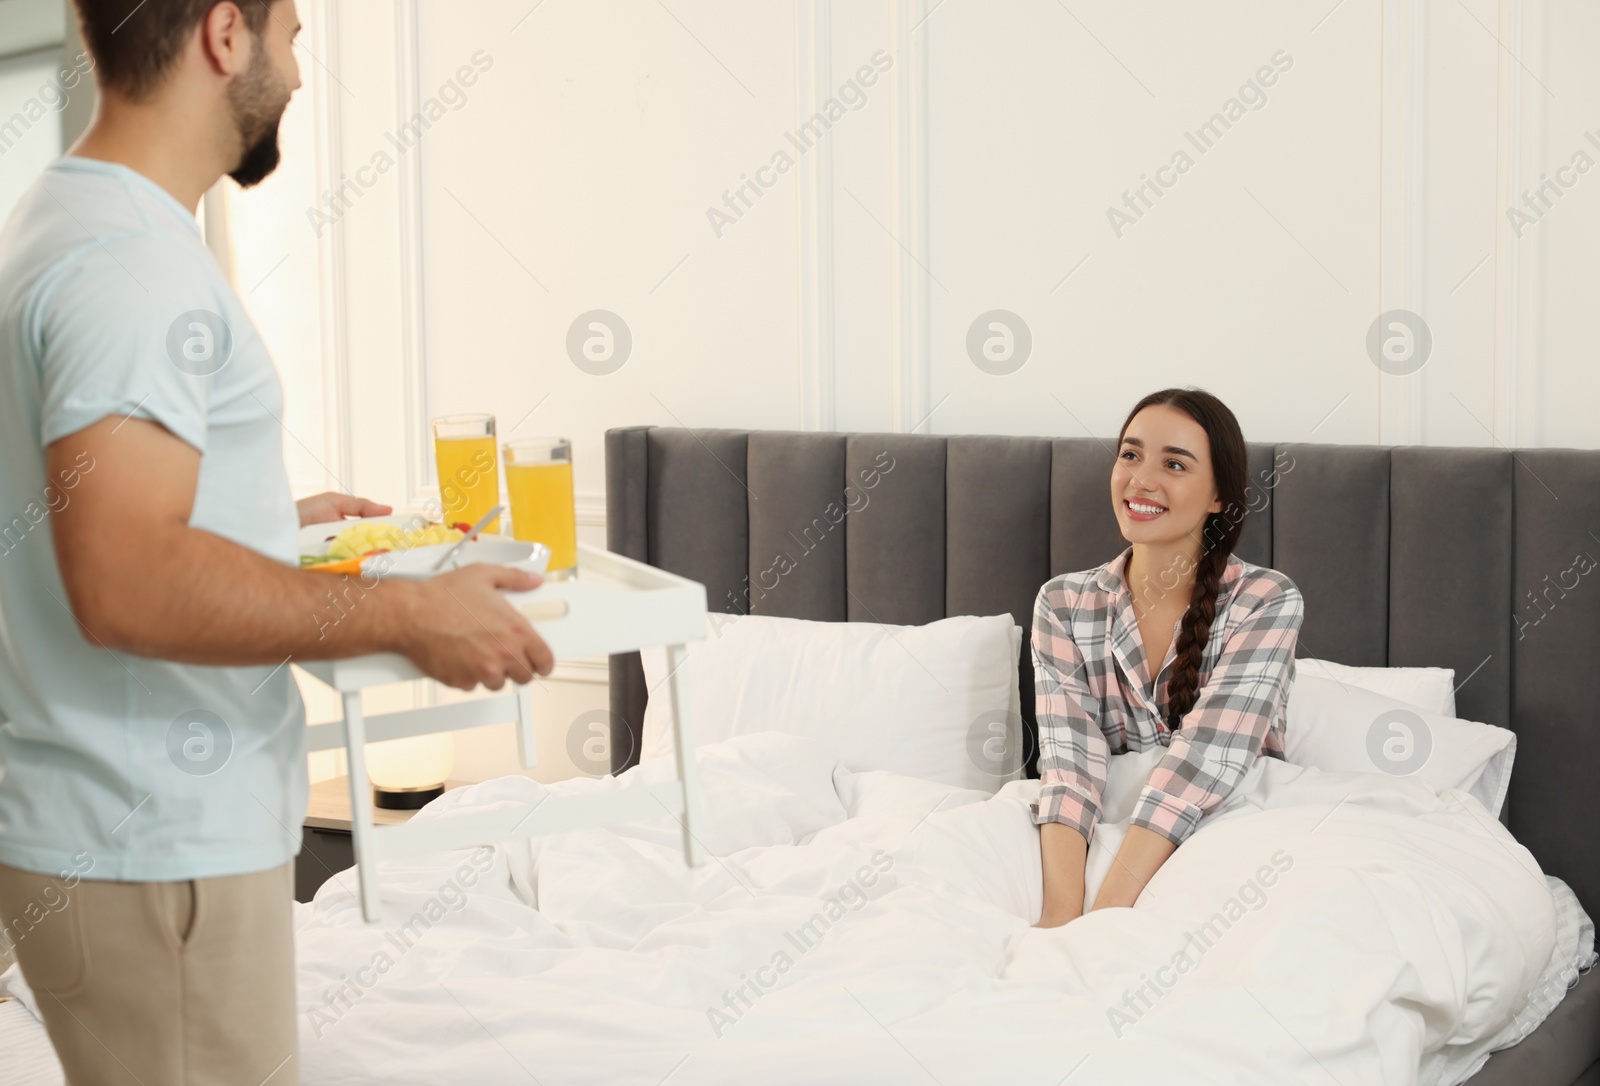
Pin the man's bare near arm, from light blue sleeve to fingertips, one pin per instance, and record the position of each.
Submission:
(143, 581)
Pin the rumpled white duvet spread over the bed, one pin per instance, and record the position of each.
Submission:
(876, 928)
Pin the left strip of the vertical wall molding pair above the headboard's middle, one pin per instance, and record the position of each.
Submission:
(815, 190)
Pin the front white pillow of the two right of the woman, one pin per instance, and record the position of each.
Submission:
(1354, 730)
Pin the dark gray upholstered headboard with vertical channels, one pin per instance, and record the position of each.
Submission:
(1481, 561)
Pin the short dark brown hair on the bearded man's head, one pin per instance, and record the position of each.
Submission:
(137, 44)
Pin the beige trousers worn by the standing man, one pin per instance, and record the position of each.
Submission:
(172, 984)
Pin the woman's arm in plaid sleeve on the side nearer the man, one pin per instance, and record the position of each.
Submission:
(1073, 759)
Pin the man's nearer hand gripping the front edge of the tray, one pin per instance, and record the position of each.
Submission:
(465, 633)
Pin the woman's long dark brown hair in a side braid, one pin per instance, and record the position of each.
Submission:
(1218, 537)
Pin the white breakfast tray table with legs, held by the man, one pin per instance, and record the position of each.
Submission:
(615, 605)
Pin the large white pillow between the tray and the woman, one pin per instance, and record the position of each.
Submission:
(935, 701)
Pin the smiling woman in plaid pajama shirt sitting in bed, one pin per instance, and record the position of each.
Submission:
(1223, 629)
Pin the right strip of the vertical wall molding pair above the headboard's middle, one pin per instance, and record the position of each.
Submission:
(913, 367)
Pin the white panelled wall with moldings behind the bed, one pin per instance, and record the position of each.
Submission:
(578, 169)
